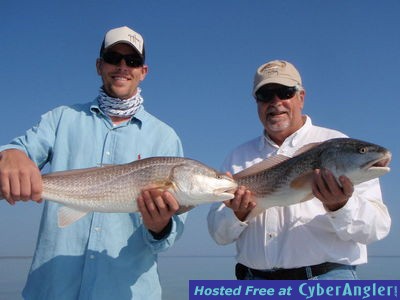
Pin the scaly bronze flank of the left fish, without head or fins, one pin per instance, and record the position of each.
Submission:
(115, 184)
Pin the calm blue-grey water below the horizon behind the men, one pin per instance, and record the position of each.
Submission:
(175, 272)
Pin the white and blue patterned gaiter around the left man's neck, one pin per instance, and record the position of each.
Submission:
(115, 107)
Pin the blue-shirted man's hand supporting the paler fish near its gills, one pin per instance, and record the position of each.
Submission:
(157, 208)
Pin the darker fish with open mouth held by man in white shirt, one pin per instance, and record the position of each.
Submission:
(282, 181)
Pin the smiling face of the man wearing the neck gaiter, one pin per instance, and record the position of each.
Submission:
(120, 81)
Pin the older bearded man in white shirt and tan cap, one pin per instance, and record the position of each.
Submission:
(324, 238)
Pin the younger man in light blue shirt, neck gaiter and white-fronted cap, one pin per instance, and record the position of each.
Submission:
(103, 255)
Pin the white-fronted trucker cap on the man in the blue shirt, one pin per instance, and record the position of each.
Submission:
(124, 35)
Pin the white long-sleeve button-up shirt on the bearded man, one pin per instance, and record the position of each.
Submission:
(306, 233)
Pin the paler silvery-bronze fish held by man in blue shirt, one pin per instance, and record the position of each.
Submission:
(115, 188)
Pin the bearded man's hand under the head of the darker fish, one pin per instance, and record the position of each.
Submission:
(329, 192)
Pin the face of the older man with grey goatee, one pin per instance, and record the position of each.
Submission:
(281, 118)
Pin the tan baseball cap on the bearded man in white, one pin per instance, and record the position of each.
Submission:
(276, 71)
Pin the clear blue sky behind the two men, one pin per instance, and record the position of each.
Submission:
(202, 56)
